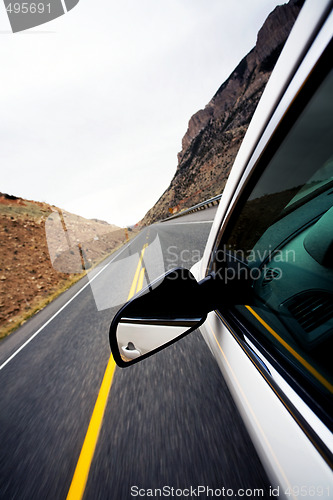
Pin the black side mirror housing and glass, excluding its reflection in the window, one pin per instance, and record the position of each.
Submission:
(168, 309)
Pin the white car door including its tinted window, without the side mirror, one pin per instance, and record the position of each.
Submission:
(275, 347)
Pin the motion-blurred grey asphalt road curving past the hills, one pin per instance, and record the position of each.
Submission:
(169, 420)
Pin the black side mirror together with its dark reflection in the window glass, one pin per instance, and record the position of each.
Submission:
(173, 306)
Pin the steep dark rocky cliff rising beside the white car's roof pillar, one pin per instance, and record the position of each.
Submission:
(215, 133)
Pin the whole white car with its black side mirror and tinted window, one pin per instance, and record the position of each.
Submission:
(262, 294)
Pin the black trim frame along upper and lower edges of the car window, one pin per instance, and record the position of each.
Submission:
(235, 324)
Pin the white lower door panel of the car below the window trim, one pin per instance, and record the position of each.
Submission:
(289, 456)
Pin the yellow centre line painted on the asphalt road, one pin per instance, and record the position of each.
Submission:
(82, 469)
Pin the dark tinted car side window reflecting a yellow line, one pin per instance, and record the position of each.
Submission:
(284, 232)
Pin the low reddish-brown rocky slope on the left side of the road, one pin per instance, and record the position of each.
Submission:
(43, 251)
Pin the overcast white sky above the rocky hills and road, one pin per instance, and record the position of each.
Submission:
(94, 105)
